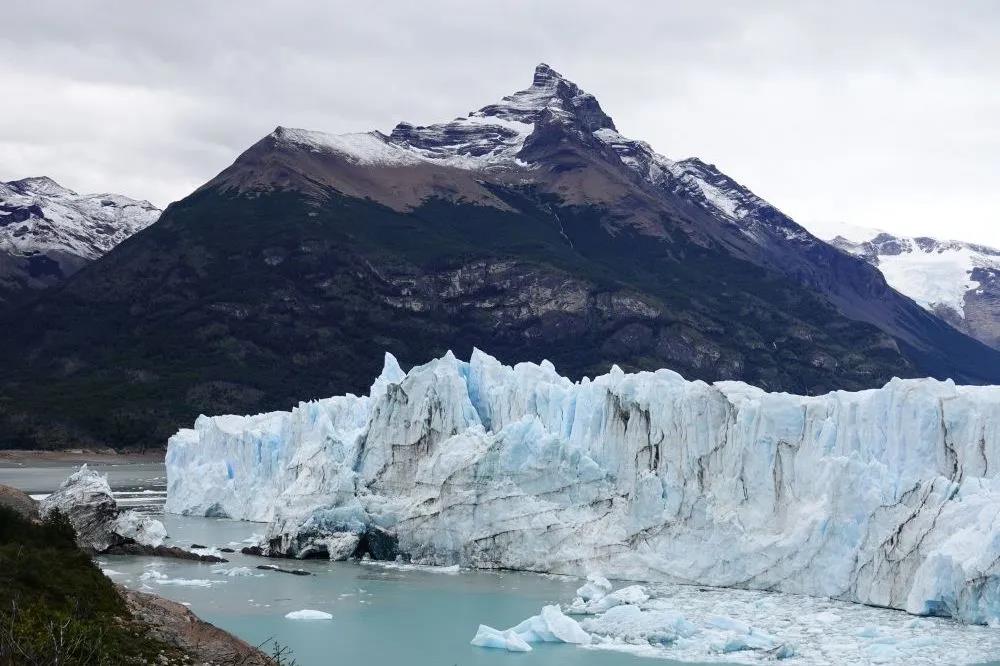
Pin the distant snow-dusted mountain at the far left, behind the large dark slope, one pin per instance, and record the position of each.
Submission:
(48, 232)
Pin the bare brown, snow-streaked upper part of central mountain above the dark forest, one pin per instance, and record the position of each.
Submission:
(554, 138)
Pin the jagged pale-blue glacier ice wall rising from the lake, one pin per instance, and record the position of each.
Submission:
(886, 497)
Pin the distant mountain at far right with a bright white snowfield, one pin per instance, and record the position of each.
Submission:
(957, 281)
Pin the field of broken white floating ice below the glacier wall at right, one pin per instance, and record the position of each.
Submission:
(701, 625)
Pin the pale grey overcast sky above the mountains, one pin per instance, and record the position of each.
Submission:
(876, 114)
